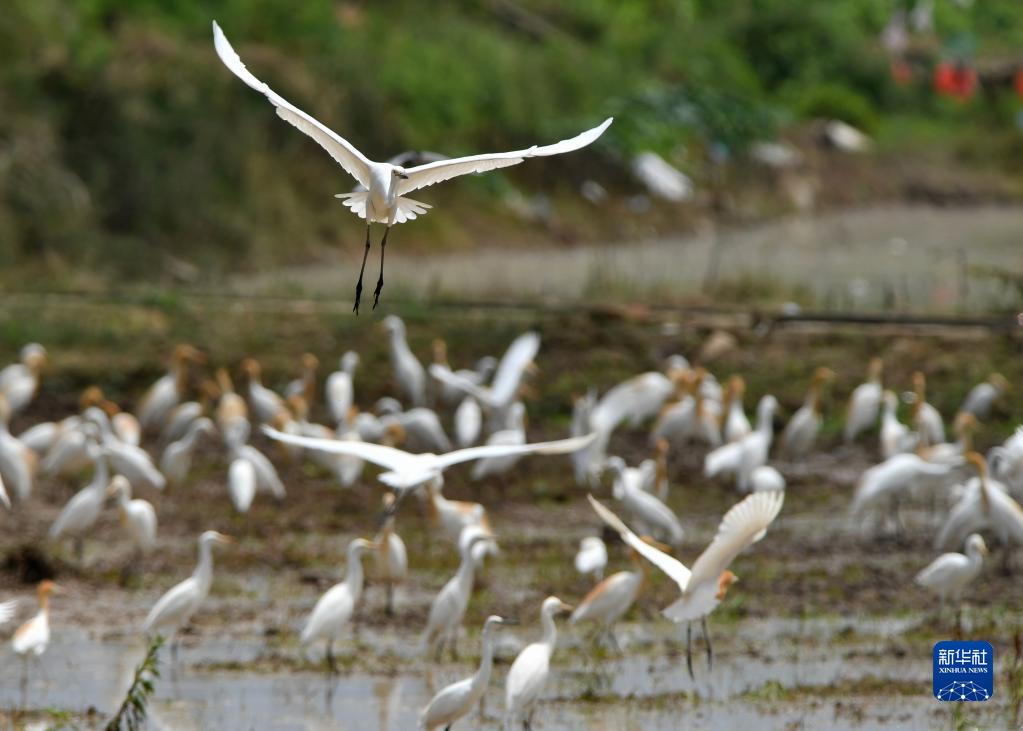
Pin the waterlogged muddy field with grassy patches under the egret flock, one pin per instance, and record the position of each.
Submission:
(824, 629)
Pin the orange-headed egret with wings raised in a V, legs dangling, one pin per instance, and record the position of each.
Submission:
(705, 587)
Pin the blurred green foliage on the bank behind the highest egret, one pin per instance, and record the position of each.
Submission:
(124, 143)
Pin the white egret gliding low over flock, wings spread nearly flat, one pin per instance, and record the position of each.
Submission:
(408, 472)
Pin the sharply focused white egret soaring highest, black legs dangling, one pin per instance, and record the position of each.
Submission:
(384, 200)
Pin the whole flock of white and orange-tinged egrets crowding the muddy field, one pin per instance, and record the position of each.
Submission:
(686, 405)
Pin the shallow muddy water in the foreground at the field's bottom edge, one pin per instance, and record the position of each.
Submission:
(755, 660)
